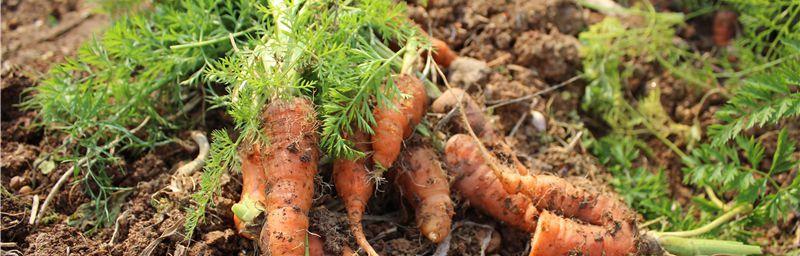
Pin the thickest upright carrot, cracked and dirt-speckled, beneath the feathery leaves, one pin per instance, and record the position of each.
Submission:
(290, 162)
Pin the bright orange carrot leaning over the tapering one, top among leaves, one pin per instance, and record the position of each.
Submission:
(392, 124)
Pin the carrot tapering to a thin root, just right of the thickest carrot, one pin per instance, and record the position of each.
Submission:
(352, 181)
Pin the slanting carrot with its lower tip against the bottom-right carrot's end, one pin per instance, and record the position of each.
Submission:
(478, 185)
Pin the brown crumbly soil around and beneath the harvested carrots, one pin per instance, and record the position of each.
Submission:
(528, 45)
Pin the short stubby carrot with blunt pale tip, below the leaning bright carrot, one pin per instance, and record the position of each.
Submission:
(424, 185)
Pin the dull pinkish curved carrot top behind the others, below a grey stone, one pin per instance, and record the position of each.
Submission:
(478, 121)
